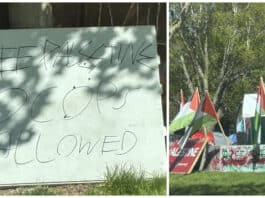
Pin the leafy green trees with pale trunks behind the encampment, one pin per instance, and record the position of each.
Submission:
(216, 46)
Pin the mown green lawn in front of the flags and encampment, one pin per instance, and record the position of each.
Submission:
(218, 183)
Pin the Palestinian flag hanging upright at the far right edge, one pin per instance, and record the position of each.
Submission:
(260, 110)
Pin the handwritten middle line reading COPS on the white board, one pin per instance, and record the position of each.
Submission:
(22, 93)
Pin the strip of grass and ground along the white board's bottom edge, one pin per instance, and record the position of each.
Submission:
(118, 181)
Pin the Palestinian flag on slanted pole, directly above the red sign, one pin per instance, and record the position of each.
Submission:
(205, 116)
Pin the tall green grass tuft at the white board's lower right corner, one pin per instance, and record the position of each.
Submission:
(129, 181)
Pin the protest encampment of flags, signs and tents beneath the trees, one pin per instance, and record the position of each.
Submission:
(244, 149)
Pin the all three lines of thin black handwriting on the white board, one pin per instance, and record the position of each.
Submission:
(49, 55)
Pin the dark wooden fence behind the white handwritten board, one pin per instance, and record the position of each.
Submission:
(37, 15)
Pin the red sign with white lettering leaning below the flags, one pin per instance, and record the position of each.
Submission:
(183, 161)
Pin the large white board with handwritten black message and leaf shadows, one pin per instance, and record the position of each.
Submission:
(73, 102)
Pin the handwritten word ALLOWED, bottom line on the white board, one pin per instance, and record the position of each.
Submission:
(72, 145)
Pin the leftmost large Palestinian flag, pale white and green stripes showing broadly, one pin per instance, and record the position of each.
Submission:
(186, 113)
